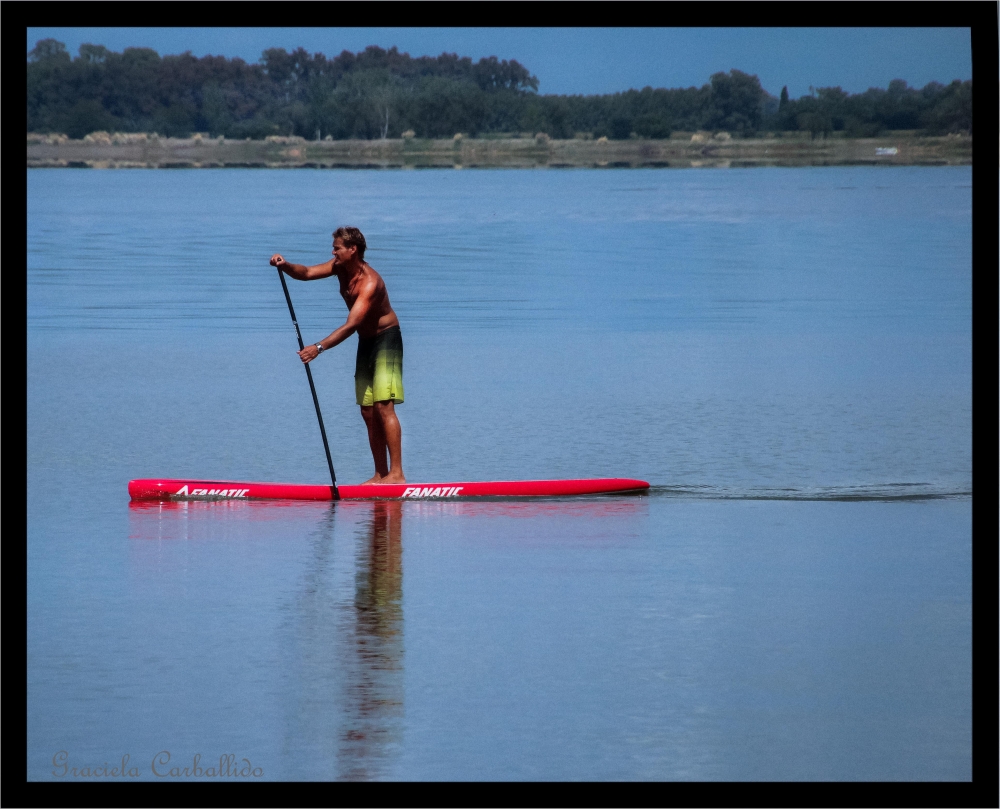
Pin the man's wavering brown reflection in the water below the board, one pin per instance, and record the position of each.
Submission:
(373, 702)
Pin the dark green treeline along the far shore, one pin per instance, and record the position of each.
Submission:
(379, 93)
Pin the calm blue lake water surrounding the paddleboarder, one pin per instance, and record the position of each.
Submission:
(784, 354)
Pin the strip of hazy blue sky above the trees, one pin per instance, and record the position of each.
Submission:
(603, 60)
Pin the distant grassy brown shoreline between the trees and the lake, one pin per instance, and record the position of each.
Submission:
(683, 150)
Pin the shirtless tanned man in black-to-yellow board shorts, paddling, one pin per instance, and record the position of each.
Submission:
(378, 376)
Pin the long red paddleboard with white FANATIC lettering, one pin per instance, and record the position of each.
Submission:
(163, 489)
